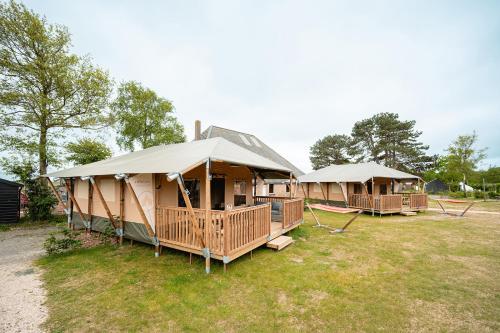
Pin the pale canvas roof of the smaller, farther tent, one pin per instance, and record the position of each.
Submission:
(360, 172)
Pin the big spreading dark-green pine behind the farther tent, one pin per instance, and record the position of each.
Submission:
(387, 140)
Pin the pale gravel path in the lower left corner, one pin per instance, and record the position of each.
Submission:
(22, 296)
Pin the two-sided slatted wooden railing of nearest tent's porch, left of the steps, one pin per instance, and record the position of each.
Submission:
(230, 231)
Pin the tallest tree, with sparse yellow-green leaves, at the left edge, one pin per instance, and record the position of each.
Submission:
(45, 91)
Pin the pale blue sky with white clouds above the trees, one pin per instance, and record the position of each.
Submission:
(292, 72)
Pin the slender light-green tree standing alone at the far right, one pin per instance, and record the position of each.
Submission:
(463, 157)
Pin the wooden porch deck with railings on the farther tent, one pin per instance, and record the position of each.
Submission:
(388, 204)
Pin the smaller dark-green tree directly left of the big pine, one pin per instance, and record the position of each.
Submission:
(332, 149)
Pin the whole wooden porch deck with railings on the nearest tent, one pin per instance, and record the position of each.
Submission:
(230, 233)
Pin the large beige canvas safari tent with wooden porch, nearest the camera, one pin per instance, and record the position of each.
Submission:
(165, 195)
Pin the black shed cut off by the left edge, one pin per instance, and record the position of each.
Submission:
(10, 201)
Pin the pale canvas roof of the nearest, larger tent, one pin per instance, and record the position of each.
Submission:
(173, 158)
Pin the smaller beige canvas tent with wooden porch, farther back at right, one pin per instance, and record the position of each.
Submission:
(368, 186)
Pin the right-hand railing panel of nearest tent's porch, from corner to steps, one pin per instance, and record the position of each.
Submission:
(245, 226)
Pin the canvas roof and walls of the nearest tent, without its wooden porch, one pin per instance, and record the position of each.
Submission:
(147, 170)
